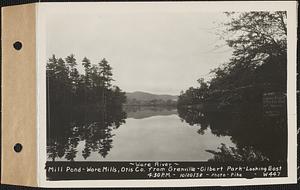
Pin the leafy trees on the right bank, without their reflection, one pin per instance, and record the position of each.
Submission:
(258, 63)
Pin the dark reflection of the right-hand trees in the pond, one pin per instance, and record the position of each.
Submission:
(257, 137)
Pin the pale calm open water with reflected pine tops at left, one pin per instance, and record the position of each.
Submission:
(147, 134)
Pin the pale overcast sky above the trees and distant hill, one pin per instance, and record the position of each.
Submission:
(161, 50)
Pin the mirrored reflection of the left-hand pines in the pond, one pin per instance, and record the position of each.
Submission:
(64, 136)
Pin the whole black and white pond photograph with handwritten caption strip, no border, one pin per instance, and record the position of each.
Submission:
(168, 86)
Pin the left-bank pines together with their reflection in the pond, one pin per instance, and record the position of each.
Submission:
(81, 106)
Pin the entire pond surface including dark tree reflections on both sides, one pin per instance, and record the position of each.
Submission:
(160, 133)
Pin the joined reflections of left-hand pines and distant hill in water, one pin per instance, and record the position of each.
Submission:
(91, 127)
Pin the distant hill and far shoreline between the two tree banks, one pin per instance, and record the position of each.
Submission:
(144, 98)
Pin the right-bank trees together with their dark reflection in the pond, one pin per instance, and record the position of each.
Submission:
(231, 102)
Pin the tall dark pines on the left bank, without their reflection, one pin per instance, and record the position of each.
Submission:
(73, 95)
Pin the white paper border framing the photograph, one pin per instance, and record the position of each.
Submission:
(44, 10)
